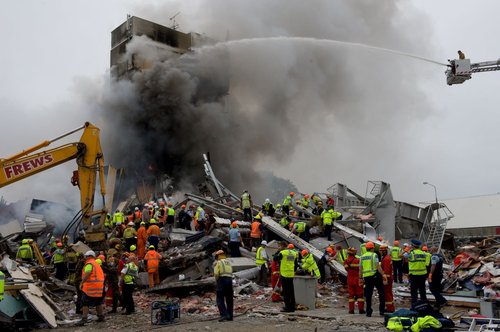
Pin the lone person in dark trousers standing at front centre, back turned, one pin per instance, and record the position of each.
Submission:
(223, 274)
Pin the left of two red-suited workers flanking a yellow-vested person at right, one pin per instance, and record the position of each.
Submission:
(351, 264)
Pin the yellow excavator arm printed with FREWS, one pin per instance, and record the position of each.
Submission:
(90, 161)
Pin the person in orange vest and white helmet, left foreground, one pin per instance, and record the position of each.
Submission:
(92, 286)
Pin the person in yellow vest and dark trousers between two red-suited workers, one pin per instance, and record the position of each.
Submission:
(371, 275)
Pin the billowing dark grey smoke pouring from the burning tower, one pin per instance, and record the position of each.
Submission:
(253, 104)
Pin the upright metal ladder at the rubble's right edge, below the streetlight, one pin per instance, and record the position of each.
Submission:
(435, 223)
